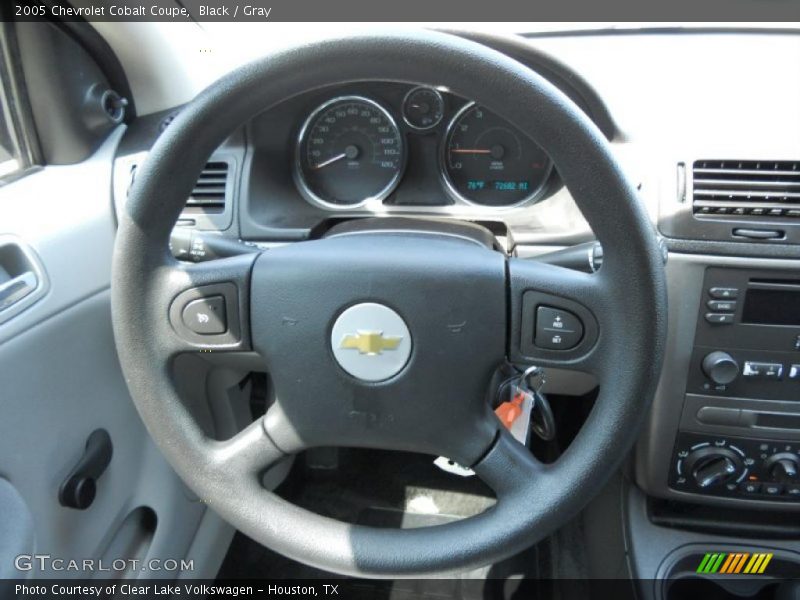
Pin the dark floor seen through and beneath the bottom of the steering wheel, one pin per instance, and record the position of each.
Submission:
(392, 489)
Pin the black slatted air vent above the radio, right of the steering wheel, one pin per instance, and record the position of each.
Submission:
(733, 188)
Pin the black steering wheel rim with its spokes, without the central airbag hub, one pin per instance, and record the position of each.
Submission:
(628, 298)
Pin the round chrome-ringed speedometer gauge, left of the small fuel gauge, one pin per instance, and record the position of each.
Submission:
(350, 151)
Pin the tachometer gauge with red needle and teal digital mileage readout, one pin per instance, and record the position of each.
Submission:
(487, 161)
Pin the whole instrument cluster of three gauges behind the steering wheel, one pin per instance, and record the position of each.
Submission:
(353, 151)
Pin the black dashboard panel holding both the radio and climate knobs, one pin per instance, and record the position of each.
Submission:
(740, 425)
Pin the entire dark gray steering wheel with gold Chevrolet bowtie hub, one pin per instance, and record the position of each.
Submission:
(455, 311)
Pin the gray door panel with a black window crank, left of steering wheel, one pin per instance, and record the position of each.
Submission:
(60, 380)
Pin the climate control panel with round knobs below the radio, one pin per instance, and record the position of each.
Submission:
(736, 467)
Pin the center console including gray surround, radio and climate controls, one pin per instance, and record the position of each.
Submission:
(728, 406)
